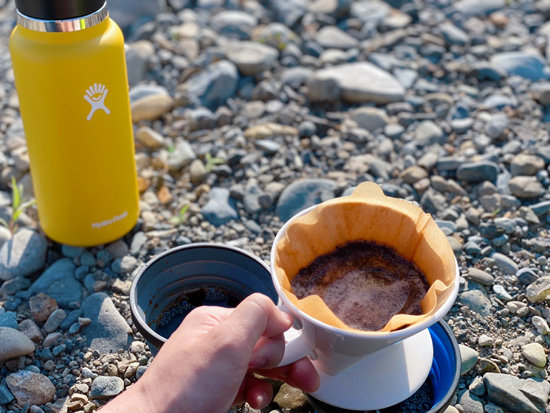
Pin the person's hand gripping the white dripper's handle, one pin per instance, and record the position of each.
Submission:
(207, 365)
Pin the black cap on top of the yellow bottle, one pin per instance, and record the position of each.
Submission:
(58, 9)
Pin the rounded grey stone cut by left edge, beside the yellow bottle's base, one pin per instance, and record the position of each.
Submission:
(22, 255)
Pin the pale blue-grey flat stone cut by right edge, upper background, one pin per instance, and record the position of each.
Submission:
(529, 65)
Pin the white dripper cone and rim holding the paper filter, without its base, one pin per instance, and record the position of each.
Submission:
(333, 348)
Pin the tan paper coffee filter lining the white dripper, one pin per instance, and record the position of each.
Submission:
(367, 215)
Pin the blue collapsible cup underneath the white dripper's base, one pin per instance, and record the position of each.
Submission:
(444, 373)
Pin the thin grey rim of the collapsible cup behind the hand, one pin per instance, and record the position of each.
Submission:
(141, 324)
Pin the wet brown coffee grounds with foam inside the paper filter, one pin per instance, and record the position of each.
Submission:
(365, 284)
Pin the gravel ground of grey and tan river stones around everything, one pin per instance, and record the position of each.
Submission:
(246, 112)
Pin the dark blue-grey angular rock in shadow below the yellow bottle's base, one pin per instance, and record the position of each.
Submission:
(59, 283)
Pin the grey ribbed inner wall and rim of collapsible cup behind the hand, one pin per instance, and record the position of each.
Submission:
(169, 275)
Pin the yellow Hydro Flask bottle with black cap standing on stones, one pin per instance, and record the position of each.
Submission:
(70, 75)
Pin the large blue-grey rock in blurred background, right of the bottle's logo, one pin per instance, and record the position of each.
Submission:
(213, 86)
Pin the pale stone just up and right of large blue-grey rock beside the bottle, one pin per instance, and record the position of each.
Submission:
(250, 57)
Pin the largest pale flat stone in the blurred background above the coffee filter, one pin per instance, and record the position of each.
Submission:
(363, 82)
